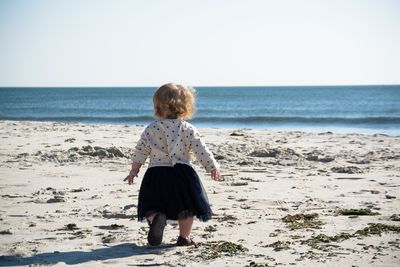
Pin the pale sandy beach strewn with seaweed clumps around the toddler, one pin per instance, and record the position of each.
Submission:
(286, 198)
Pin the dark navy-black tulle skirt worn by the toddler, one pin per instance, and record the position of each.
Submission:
(175, 191)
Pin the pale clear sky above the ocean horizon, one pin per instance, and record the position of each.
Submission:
(203, 42)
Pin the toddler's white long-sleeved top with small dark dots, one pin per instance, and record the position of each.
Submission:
(170, 141)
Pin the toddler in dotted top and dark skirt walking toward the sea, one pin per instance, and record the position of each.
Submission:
(171, 189)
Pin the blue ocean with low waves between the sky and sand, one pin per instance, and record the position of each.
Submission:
(359, 109)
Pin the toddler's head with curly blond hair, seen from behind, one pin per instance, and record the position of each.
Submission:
(173, 101)
